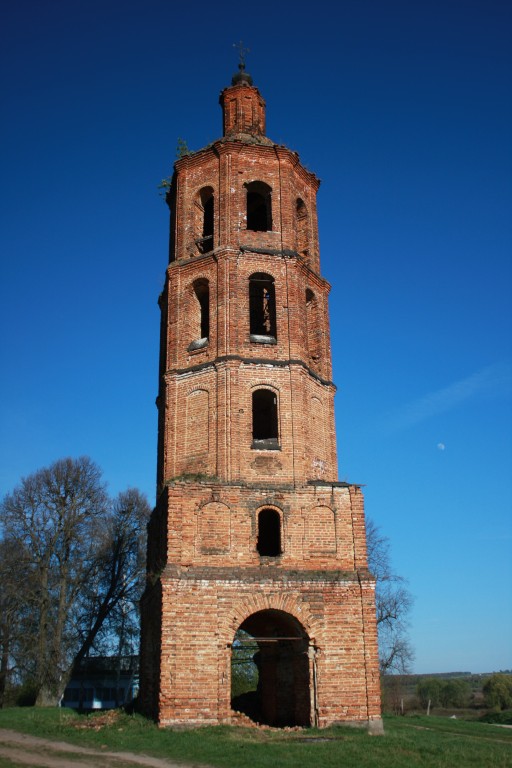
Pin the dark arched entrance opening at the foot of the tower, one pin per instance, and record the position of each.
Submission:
(270, 678)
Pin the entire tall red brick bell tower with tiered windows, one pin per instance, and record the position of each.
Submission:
(253, 540)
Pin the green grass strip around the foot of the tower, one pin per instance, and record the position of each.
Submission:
(409, 742)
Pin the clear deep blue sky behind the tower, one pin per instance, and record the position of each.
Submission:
(403, 109)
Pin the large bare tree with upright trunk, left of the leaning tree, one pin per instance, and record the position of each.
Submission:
(50, 518)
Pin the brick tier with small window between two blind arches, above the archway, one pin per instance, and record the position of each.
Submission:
(318, 525)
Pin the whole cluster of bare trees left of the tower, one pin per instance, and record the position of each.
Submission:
(72, 569)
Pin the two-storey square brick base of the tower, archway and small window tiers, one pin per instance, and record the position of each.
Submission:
(215, 578)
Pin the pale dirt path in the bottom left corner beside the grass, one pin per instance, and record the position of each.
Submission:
(24, 750)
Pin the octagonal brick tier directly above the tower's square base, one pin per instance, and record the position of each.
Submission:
(217, 439)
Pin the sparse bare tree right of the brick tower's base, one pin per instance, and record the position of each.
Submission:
(394, 602)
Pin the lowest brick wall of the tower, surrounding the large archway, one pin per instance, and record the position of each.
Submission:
(196, 653)
